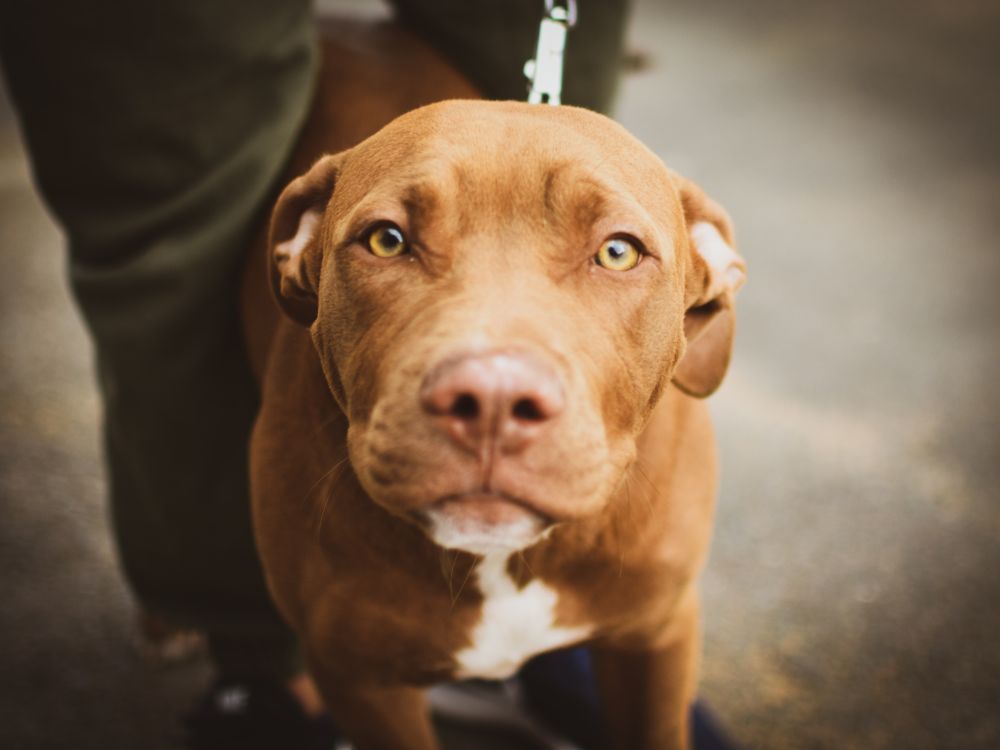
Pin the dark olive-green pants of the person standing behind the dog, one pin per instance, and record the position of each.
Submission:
(157, 133)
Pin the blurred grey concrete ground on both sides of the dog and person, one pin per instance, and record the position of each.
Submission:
(853, 596)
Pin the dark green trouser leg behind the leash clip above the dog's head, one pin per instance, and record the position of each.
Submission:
(490, 40)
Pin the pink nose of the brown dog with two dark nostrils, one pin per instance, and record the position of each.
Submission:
(501, 397)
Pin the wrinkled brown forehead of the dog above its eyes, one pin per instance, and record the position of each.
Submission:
(505, 161)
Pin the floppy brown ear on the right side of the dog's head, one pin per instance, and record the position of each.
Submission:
(714, 273)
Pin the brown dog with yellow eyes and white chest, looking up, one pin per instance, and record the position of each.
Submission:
(478, 440)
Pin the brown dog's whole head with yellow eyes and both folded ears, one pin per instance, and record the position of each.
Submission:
(499, 294)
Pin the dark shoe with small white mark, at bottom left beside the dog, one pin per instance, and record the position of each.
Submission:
(255, 714)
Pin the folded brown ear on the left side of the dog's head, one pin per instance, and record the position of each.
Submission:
(295, 252)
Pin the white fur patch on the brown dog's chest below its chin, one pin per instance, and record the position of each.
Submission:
(516, 623)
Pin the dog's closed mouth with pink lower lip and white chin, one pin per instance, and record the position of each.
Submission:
(483, 522)
